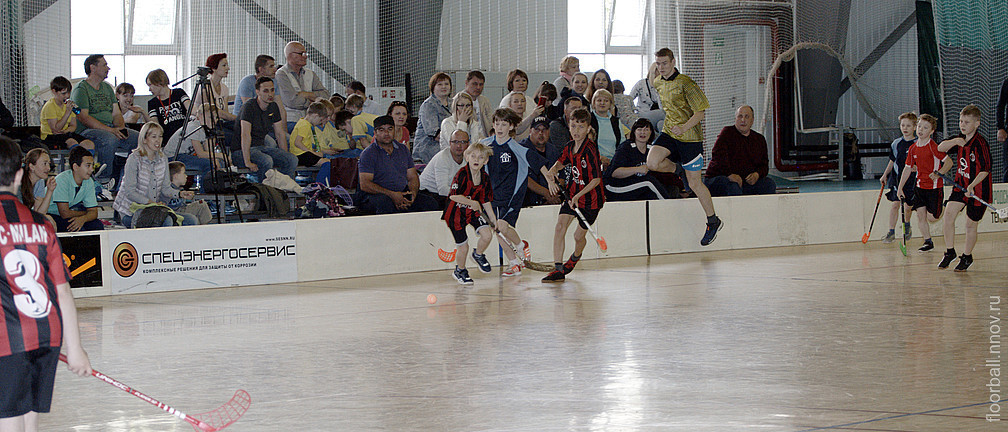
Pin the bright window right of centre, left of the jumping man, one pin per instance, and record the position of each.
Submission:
(610, 35)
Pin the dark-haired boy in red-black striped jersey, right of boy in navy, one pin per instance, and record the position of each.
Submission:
(583, 173)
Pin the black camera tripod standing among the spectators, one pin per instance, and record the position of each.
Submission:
(215, 138)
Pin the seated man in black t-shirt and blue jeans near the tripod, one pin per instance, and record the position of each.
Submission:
(259, 152)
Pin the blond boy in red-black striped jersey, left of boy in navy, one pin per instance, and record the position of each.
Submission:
(471, 191)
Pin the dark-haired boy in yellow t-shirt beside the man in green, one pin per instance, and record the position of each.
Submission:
(59, 123)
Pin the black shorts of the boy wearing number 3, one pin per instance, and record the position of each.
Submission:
(27, 382)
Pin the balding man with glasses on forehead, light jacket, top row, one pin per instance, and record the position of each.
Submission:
(298, 86)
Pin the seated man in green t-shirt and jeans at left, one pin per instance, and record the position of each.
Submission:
(100, 119)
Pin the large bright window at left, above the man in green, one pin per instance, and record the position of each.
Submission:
(136, 37)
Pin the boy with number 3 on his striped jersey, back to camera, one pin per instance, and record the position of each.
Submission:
(37, 306)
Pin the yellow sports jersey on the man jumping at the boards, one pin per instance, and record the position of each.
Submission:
(681, 99)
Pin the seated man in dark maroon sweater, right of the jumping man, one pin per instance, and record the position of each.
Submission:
(739, 163)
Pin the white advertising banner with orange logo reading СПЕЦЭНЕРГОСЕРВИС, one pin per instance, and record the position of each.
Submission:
(201, 257)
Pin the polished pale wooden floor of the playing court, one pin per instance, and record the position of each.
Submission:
(846, 337)
